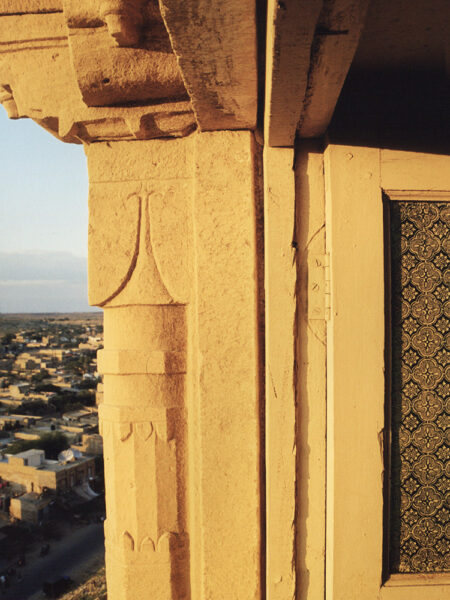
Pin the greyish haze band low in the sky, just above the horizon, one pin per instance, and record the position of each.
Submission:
(43, 282)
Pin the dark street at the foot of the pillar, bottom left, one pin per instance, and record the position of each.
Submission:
(70, 556)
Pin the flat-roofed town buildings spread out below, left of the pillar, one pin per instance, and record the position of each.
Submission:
(48, 392)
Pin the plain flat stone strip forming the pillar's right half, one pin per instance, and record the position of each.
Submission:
(226, 409)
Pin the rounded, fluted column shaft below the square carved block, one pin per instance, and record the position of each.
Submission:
(147, 543)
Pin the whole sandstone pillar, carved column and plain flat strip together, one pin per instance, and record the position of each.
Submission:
(173, 263)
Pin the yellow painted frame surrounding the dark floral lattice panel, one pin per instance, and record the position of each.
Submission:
(355, 178)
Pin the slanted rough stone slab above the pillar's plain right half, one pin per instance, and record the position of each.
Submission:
(216, 46)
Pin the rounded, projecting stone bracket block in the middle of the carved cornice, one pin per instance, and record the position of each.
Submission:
(121, 52)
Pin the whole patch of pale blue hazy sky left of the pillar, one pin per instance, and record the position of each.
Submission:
(43, 220)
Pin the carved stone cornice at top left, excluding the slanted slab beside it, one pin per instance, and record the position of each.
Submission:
(78, 78)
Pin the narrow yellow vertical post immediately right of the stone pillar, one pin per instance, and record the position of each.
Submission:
(280, 285)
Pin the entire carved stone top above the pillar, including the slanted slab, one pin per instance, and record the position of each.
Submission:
(106, 70)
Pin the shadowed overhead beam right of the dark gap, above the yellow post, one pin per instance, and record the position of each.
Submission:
(310, 47)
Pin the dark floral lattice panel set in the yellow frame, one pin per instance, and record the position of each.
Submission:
(420, 451)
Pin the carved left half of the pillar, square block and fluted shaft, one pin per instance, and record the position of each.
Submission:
(136, 228)
